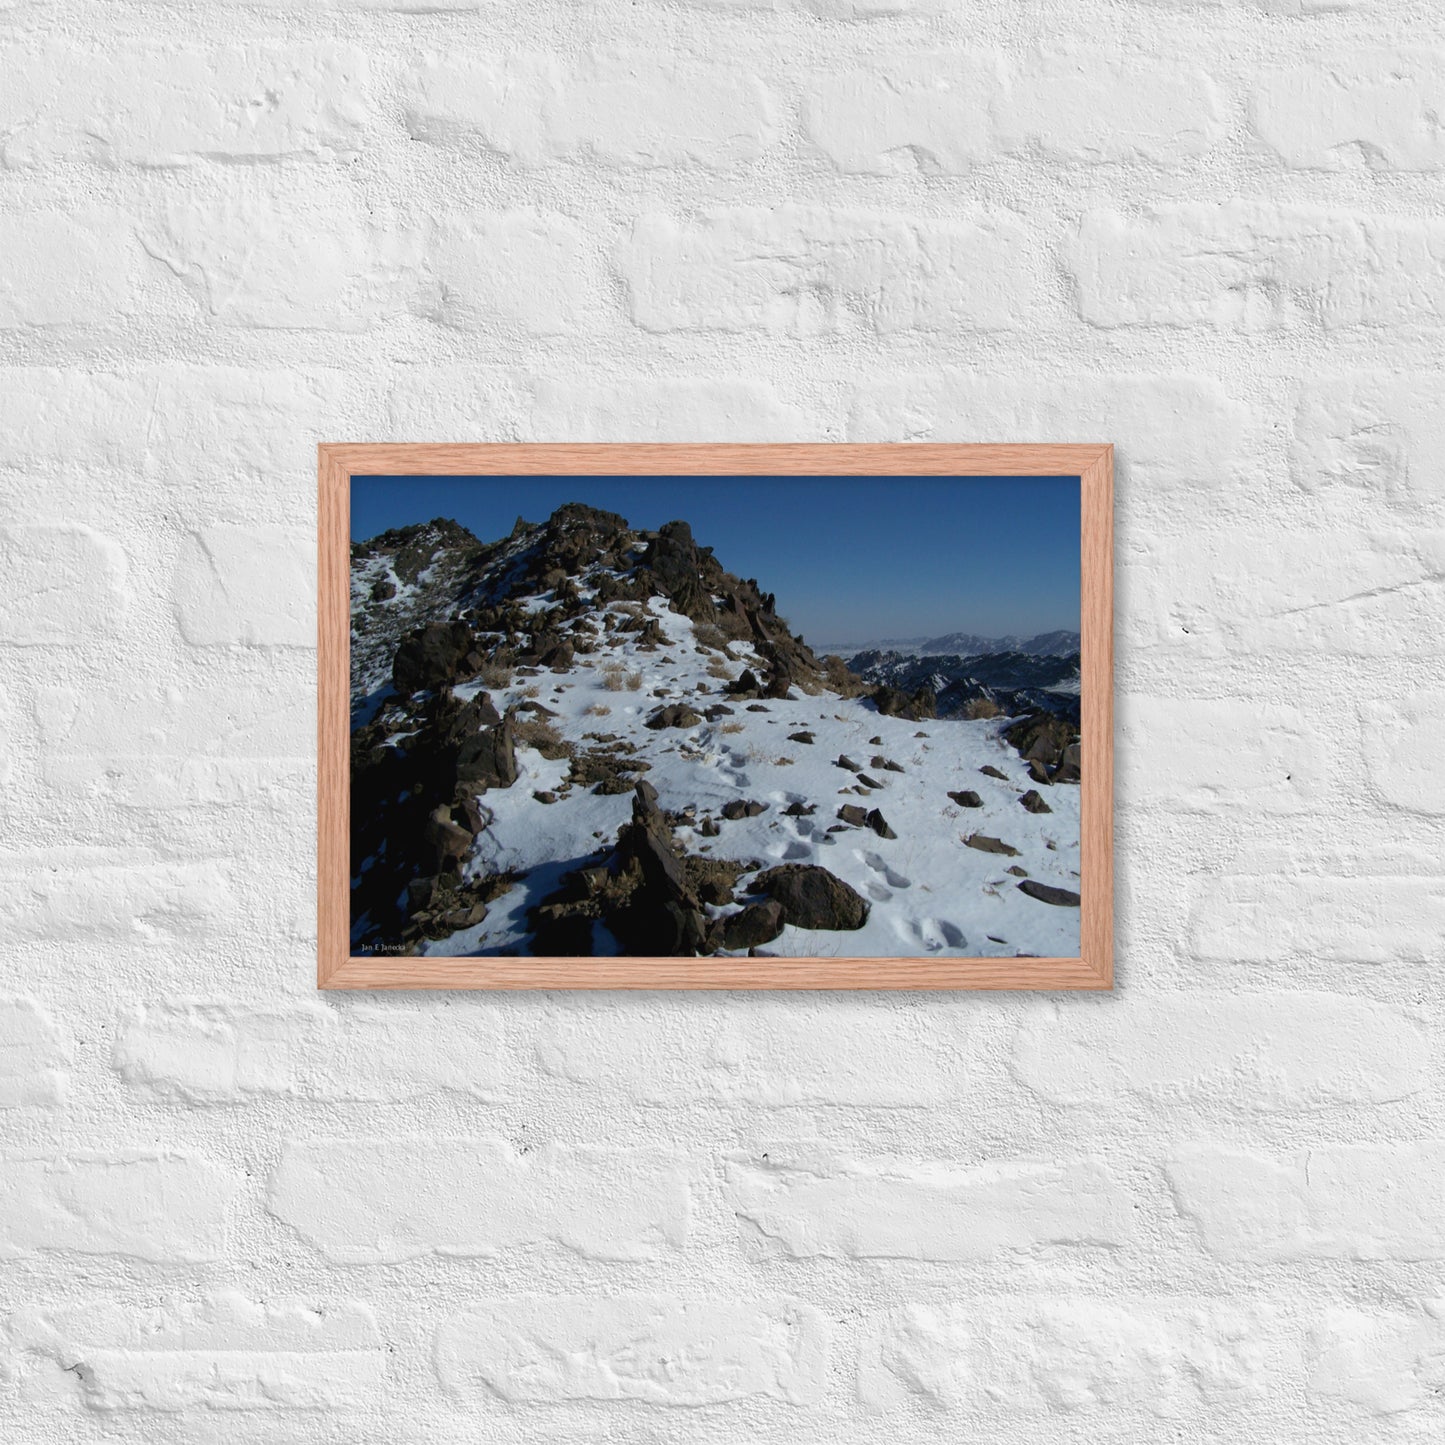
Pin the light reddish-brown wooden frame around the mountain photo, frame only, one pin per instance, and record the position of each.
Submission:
(1093, 465)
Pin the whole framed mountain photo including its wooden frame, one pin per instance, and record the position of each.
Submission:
(716, 717)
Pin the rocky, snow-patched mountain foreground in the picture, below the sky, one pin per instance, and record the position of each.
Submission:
(586, 738)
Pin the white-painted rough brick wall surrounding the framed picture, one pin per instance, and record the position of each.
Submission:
(1210, 1207)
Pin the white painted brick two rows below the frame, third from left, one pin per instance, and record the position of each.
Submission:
(820, 1203)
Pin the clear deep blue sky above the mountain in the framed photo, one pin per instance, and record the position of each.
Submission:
(850, 558)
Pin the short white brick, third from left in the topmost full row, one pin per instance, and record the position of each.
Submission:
(928, 116)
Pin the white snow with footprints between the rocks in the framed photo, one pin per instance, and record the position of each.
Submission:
(930, 894)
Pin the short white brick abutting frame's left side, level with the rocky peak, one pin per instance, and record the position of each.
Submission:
(217, 593)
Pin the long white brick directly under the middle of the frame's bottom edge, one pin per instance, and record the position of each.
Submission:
(769, 1054)
